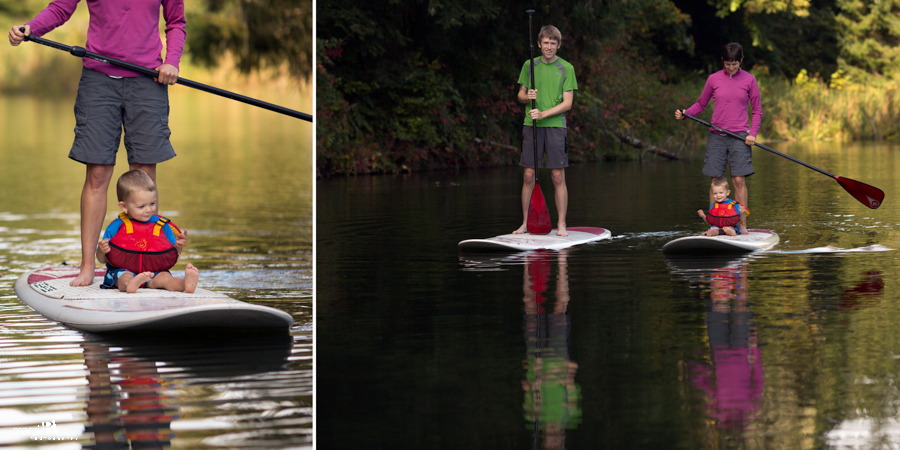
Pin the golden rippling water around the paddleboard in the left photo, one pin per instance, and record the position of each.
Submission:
(241, 186)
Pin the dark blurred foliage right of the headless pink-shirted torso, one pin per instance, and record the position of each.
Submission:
(259, 34)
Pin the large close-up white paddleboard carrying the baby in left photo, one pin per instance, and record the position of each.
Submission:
(90, 308)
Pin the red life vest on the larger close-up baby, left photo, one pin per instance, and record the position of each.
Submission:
(142, 246)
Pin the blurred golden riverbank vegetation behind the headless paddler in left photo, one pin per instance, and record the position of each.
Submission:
(242, 45)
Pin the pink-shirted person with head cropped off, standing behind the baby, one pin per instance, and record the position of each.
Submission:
(111, 98)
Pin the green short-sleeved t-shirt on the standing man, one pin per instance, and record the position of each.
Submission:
(551, 80)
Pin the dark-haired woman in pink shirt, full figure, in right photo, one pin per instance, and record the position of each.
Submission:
(731, 91)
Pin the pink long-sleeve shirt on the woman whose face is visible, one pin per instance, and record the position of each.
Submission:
(730, 96)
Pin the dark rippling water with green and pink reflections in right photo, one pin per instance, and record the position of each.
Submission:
(610, 345)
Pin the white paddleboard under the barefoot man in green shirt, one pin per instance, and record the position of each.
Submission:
(525, 241)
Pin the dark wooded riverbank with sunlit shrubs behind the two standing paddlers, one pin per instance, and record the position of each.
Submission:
(408, 85)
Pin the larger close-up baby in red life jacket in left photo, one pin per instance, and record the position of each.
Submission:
(140, 247)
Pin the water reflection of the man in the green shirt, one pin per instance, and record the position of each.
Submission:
(552, 398)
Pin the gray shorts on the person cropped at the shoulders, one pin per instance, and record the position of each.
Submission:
(105, 105)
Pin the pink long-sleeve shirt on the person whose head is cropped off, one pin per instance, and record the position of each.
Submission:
(127, 30)
